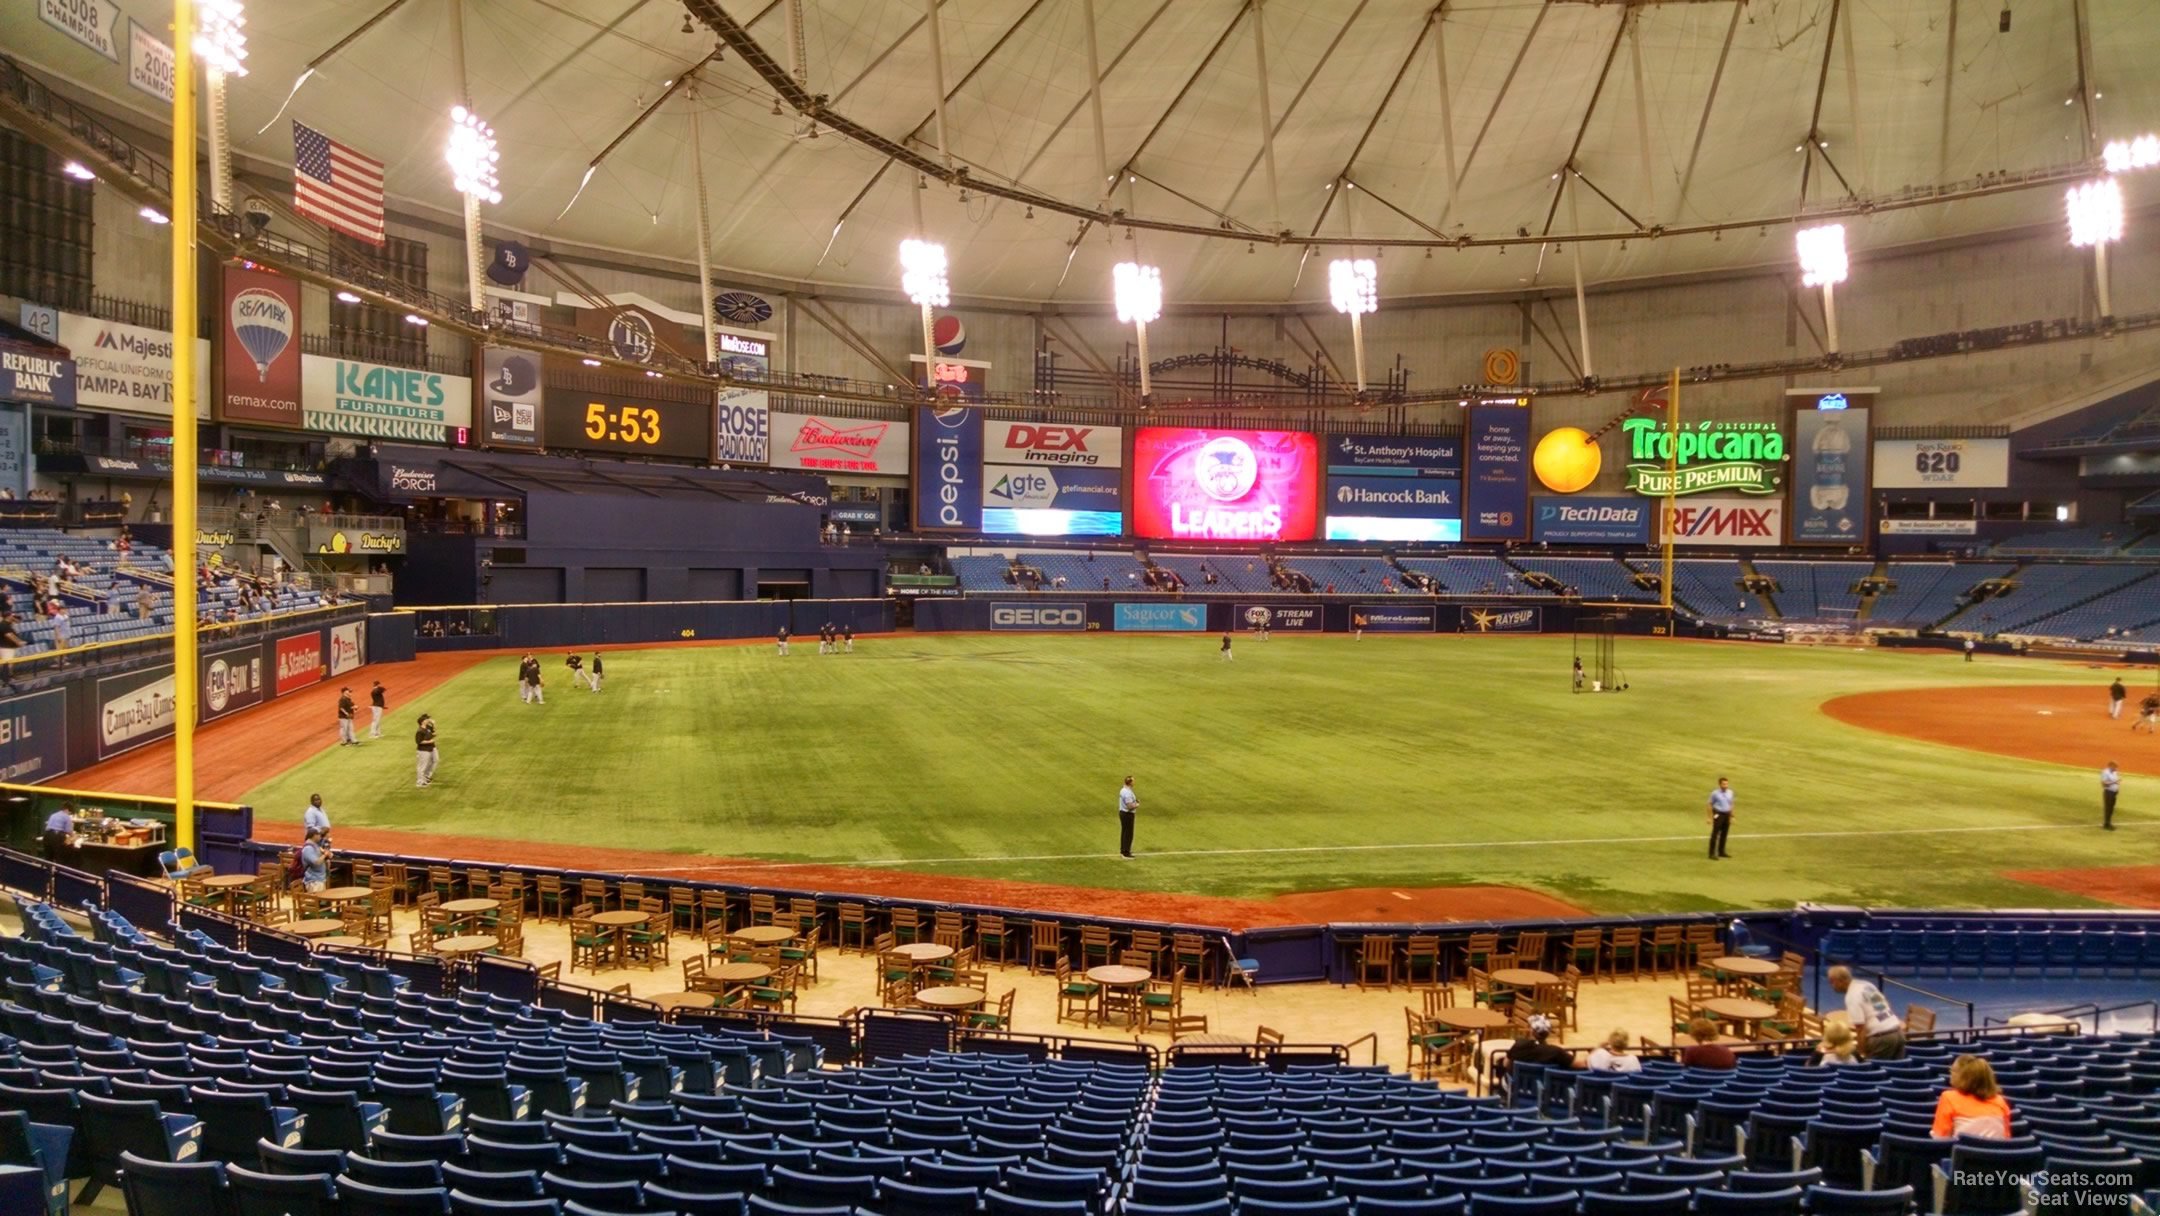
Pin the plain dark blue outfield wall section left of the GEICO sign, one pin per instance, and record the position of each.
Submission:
(535, 627)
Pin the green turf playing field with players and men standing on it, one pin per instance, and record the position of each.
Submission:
(1308, 764)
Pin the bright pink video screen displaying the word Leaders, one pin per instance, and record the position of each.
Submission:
(1226, 485)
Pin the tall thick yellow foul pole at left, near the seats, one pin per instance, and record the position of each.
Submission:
(185, 440)
